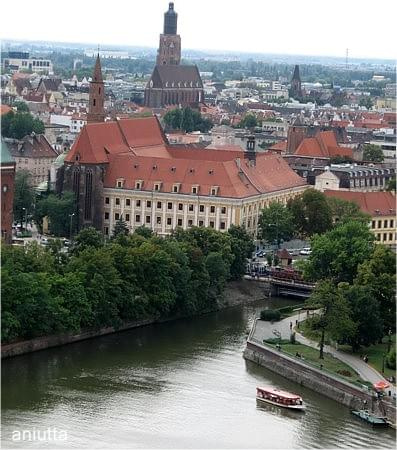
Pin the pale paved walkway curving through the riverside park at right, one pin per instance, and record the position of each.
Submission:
(264, 330)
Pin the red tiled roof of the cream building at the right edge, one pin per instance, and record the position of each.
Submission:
(372, 203)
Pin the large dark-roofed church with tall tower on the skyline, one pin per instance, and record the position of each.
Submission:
(172, 83)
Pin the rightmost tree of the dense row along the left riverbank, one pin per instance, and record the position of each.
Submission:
(242, 247)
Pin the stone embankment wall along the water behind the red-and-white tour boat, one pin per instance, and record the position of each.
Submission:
(318, 380)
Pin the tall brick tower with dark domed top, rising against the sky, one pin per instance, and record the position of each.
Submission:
(169, 52)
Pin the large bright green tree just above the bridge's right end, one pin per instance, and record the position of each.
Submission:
(337, 253)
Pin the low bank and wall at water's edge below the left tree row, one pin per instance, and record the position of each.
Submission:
(235, 293)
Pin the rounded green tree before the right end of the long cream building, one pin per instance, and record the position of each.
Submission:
(276, 223)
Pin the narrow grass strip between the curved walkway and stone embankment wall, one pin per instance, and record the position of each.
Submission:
(329, 363)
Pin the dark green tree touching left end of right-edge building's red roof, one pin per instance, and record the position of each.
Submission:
(311, 212)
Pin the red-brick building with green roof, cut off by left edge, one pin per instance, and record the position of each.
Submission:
(7, 192)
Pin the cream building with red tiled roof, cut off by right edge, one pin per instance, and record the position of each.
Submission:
(380, 206)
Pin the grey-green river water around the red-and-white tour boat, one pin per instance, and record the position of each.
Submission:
(182, 384)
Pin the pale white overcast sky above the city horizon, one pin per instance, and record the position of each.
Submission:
(302, 27)
